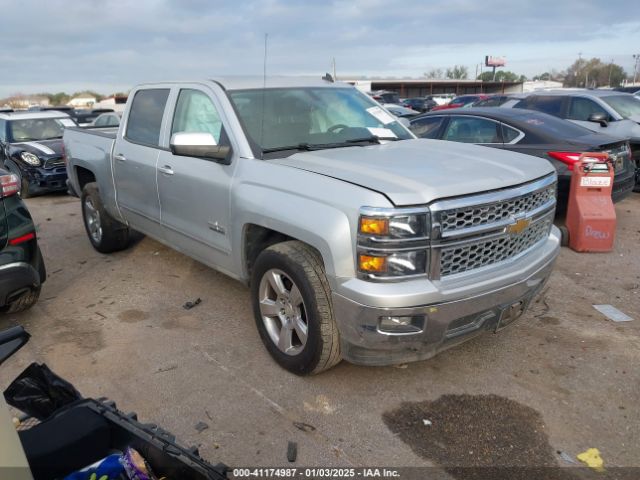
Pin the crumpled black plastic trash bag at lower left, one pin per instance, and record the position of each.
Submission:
(39, 392)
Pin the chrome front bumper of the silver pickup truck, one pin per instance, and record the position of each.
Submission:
(446, 322)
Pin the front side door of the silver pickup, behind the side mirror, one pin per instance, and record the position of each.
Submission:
(194, 192)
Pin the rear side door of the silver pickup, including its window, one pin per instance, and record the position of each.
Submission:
(135, 155)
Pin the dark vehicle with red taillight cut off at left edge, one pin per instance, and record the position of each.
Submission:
(22, 268)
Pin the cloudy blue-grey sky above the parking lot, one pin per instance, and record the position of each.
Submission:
(110, 45)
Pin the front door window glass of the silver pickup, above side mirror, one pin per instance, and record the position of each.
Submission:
(195, 113)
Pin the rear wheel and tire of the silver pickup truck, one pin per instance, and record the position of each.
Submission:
(105, 233)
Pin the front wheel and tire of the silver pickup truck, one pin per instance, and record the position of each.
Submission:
(293, 310)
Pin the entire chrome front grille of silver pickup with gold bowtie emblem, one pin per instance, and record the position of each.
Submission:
(477, 231)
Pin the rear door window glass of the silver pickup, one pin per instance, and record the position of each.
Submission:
(145, 116)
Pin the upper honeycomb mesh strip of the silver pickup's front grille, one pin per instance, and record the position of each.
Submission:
(473, 216)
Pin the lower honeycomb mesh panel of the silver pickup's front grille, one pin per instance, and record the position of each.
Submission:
(463, 258)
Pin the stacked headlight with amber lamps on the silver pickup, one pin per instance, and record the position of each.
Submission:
(393, 243)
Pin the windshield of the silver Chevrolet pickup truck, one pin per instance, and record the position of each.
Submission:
(312, 116)
